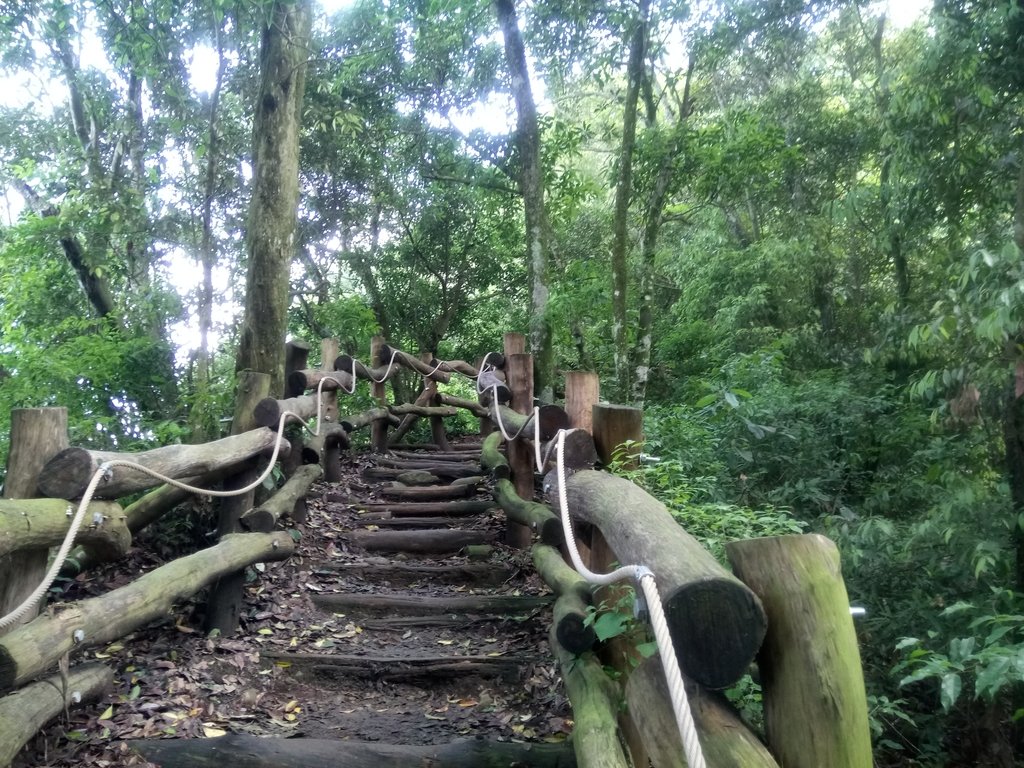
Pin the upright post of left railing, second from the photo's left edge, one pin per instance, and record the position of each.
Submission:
(225, 606)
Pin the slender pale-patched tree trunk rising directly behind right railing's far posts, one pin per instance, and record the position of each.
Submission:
(528, 140)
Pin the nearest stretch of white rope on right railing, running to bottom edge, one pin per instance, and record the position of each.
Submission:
(646, 581)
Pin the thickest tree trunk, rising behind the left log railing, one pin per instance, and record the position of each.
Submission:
(271, 237)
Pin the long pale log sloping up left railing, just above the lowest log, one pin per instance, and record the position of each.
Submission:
(35, 648)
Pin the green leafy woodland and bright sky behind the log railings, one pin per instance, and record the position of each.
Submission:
(791, 231)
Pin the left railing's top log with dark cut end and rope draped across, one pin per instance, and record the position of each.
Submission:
(68, 474)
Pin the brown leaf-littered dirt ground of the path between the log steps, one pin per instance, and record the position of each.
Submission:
(172, 680)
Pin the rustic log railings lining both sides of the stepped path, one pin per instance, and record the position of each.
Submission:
(717, 622)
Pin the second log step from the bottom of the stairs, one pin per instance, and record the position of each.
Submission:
(402, 668)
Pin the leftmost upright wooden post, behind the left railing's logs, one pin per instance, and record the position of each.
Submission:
(37, 435)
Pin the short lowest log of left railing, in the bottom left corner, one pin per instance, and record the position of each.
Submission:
(24, 713)
